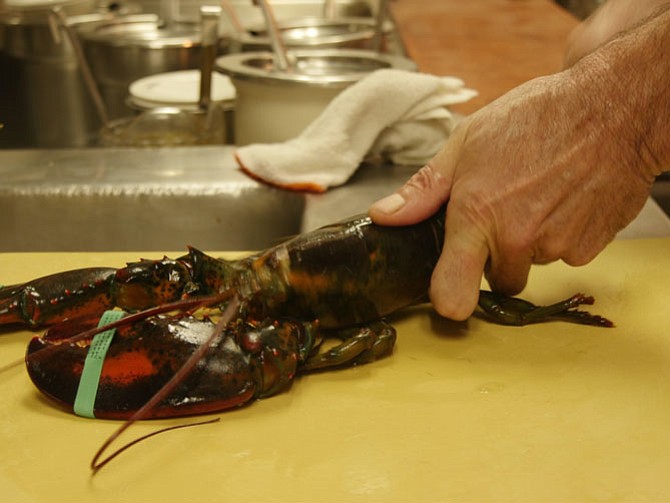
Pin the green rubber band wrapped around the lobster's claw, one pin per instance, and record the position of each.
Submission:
(90, 375)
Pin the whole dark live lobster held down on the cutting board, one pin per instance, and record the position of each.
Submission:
(340, 281)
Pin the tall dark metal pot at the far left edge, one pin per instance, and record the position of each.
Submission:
(43, 100)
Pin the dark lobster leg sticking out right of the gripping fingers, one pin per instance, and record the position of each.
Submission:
(514, 311)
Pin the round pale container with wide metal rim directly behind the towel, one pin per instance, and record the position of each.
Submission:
(274, 106)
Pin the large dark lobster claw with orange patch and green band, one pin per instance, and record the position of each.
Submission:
(142, 358)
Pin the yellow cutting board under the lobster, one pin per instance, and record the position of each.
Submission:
(466, 411)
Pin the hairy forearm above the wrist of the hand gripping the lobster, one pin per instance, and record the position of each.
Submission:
(630, 75)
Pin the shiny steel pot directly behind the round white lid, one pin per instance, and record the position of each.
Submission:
(129, 48)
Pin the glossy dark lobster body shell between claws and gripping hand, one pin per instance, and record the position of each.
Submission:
(348, 273)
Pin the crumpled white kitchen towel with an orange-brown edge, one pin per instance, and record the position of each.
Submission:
(394, 114)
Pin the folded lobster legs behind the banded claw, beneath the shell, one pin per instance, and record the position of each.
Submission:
(359, 345)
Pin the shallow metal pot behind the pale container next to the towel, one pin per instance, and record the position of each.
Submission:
(313, 33)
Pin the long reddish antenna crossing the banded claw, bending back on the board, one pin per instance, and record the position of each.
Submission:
(232, 309)
